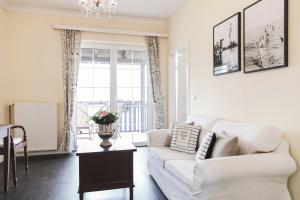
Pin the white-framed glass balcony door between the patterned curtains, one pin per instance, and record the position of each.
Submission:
(114, 78)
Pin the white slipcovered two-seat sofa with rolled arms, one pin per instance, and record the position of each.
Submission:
(248, 176)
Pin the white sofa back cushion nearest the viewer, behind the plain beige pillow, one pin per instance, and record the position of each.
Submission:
(252, 137)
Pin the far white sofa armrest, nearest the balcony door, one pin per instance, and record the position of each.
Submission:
(159, 137)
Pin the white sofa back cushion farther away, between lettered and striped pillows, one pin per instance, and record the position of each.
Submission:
(206, 123)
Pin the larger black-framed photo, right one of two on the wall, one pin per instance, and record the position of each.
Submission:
(266, 35)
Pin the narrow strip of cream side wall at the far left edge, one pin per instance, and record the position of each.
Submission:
(2, 63)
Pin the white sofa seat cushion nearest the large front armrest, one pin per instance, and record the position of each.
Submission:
(182, 170)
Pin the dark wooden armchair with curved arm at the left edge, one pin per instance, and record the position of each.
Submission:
(16, 144)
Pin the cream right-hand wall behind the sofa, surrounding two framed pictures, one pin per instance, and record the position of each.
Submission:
(270, 97)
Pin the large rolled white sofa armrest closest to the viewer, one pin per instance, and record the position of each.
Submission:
(237, 168)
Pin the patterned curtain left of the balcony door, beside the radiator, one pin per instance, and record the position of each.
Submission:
(71, 58)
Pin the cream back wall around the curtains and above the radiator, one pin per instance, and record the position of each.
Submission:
(34, 53)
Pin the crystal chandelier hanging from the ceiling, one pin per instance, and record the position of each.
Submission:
(98, 7)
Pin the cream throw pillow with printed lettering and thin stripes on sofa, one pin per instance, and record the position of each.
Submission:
(185, 138)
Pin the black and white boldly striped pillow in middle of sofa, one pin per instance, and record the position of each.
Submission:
(206, 146)
